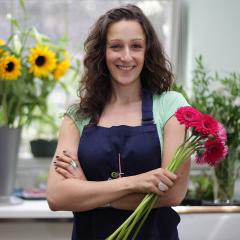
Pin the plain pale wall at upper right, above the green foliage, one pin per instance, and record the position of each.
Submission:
(210, 28)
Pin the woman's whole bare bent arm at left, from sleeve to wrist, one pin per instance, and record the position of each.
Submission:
(76, 193)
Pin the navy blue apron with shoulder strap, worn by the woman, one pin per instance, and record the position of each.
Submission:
(108, 153)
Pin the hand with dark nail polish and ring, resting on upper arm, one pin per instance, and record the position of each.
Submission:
(68, 166)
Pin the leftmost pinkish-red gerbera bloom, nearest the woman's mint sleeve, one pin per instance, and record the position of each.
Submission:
(188, 116)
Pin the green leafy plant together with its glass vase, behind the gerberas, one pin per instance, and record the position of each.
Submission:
(220, 97)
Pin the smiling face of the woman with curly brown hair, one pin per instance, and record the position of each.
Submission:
(125, 51)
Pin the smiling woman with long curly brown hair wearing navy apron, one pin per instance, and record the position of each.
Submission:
(114, 146)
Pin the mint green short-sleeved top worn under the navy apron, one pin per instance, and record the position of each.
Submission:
(164, 107)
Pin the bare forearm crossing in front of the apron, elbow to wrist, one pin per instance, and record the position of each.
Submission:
(79, 195)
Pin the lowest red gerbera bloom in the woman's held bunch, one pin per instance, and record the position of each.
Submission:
(215, 151)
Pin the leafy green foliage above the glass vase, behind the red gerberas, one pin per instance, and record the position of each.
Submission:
(220, 97)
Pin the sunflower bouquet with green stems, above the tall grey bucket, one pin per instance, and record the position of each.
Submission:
(30, 69)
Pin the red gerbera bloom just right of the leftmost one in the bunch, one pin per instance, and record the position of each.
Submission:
(207, 125)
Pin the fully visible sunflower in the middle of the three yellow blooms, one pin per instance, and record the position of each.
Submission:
(42, 60)
